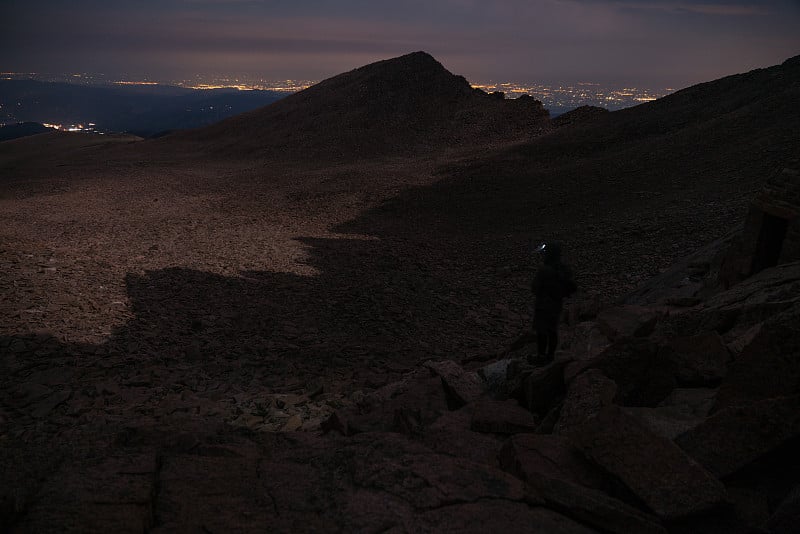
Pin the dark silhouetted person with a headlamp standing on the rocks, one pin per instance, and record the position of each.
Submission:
(552, 283)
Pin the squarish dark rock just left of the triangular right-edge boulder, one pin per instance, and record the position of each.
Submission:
(701, 360)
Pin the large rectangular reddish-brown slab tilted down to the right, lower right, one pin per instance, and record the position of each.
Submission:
(658, 472)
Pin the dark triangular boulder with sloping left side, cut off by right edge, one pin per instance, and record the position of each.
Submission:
(769, 366)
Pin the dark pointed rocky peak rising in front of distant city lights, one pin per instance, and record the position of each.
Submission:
(391, 107)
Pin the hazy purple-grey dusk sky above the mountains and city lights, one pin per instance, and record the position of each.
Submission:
(647, 43)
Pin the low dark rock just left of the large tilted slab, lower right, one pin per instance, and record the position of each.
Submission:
(530, 456)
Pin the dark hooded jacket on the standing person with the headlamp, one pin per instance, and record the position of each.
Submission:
(552, 283)
